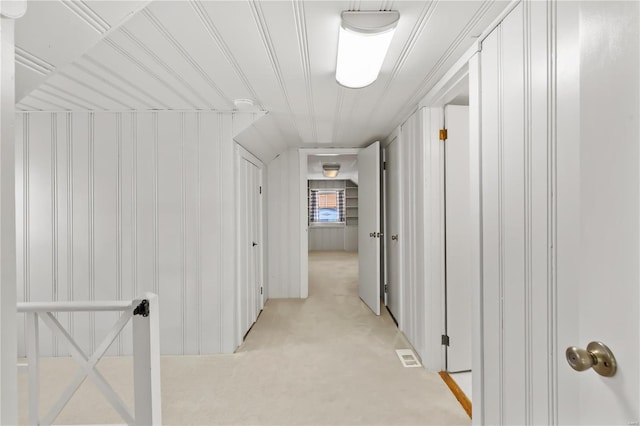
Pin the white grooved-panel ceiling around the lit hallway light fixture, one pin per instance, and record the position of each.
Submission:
(201, 55)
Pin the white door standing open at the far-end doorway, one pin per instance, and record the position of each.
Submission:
(369, 230)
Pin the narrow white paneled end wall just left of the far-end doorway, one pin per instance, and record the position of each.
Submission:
(283, 206)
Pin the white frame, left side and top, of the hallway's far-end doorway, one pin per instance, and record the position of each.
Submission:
(304, 226)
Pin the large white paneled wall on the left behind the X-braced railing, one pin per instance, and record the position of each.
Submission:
(110, 205)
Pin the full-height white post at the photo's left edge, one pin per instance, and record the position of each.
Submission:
(9, 11)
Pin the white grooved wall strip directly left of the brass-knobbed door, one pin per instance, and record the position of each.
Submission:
(517, 150)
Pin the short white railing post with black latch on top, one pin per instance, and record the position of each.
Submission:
(146, 362)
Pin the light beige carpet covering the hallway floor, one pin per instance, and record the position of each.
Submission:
(326, 360)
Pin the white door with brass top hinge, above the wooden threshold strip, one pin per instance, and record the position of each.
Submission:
(458, 244)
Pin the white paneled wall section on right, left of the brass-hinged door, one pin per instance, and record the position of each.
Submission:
(422, 234)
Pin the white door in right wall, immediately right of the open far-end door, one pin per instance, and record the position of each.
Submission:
(392, 234)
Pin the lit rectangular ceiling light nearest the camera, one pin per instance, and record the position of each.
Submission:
(362, 46)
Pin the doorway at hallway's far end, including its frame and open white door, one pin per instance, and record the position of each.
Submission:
(333, 213)
